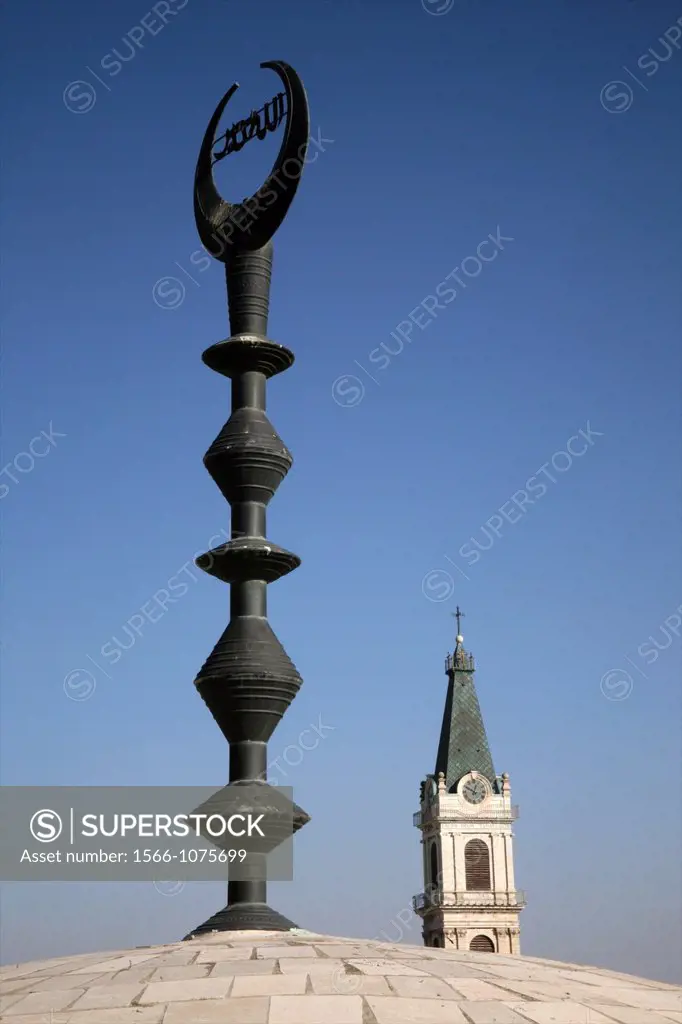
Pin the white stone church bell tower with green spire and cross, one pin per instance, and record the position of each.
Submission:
(471, 901)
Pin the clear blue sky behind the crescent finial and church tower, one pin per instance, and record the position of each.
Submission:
(549, 124)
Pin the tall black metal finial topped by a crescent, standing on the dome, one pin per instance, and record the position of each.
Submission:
(248, 681)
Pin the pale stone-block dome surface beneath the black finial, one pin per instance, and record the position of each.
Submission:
(301, 977)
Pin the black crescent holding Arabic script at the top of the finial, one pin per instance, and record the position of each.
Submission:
(227, 229)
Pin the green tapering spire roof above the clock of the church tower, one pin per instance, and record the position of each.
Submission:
(463, 746)
